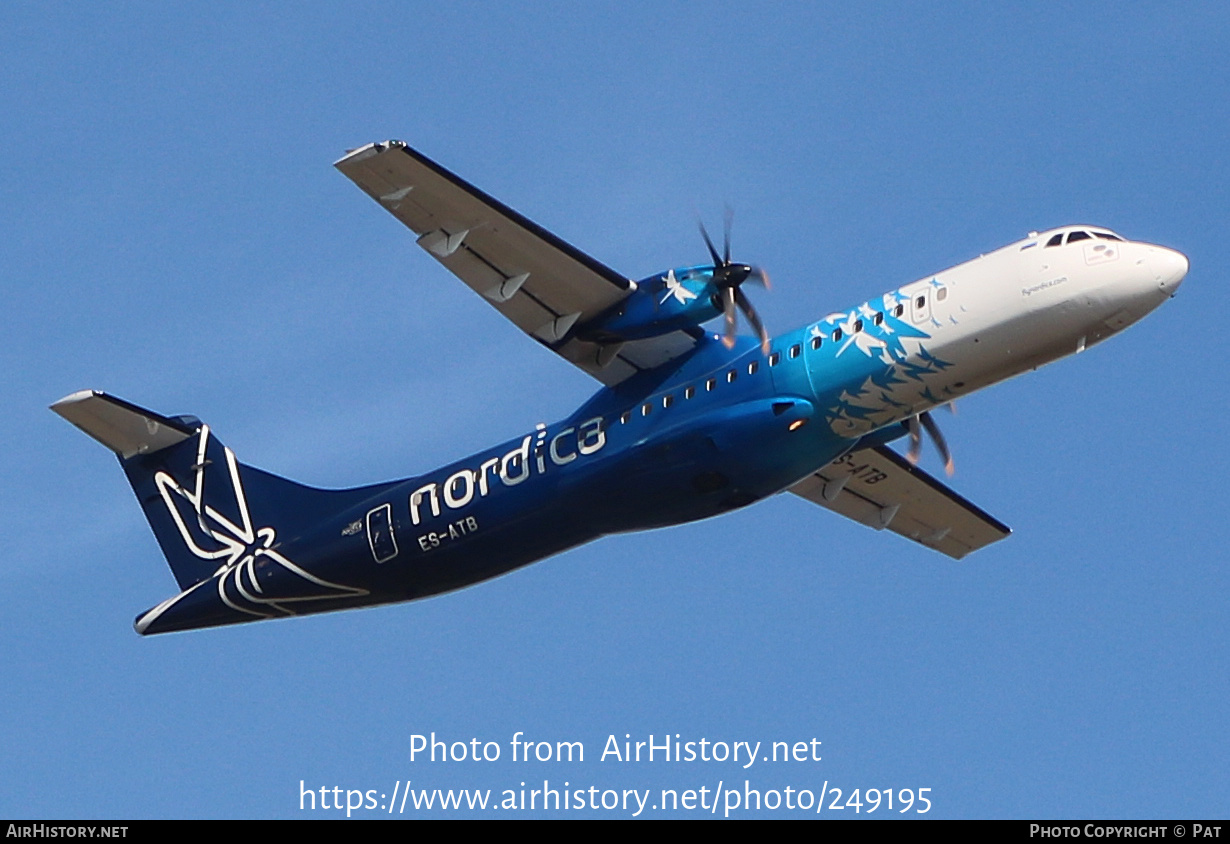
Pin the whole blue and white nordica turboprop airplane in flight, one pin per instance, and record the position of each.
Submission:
(688, 424)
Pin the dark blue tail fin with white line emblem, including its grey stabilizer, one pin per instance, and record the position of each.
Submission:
(207, 510)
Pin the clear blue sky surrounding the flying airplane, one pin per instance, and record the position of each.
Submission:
(173, 232)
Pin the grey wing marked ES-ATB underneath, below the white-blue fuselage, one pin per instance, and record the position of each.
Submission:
(878, 488)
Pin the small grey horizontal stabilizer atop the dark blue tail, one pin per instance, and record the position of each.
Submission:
(122, 428)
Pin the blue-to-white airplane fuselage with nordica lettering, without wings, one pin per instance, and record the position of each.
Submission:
(712, 431)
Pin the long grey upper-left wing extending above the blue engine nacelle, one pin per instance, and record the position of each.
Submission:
(542, 284)
